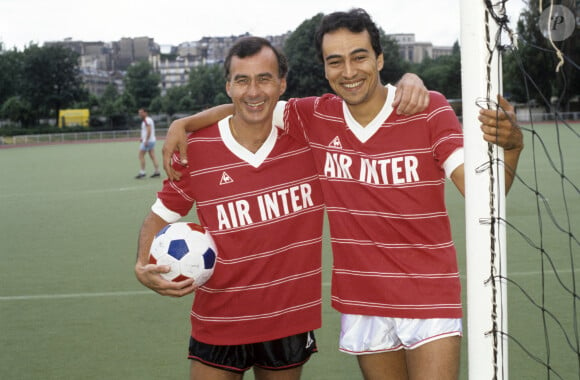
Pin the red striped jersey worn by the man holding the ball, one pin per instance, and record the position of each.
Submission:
(265, 213)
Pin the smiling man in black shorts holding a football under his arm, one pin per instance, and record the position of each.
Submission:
(256, 190)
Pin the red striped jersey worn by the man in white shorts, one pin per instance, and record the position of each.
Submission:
(383, 186)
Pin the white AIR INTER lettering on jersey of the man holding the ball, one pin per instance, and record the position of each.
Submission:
(269, 205)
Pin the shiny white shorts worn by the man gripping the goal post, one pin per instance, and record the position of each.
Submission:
(365, 334)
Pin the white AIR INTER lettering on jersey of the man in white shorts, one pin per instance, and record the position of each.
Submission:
(394, 170)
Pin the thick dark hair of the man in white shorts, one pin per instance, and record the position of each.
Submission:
(356, 20)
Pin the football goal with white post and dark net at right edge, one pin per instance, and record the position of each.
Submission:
(522, 252)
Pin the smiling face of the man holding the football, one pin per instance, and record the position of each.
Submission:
(254, 86)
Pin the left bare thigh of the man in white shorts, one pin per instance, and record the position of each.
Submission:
(389, 365)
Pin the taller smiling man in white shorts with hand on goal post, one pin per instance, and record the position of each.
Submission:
(395, 275)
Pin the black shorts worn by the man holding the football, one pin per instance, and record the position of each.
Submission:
(279, 354)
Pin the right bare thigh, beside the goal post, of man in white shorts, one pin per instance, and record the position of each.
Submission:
(436, 360)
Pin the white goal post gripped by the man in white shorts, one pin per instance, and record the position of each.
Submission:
(487, 351)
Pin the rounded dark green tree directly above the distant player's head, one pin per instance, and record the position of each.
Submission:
(142, 83)
